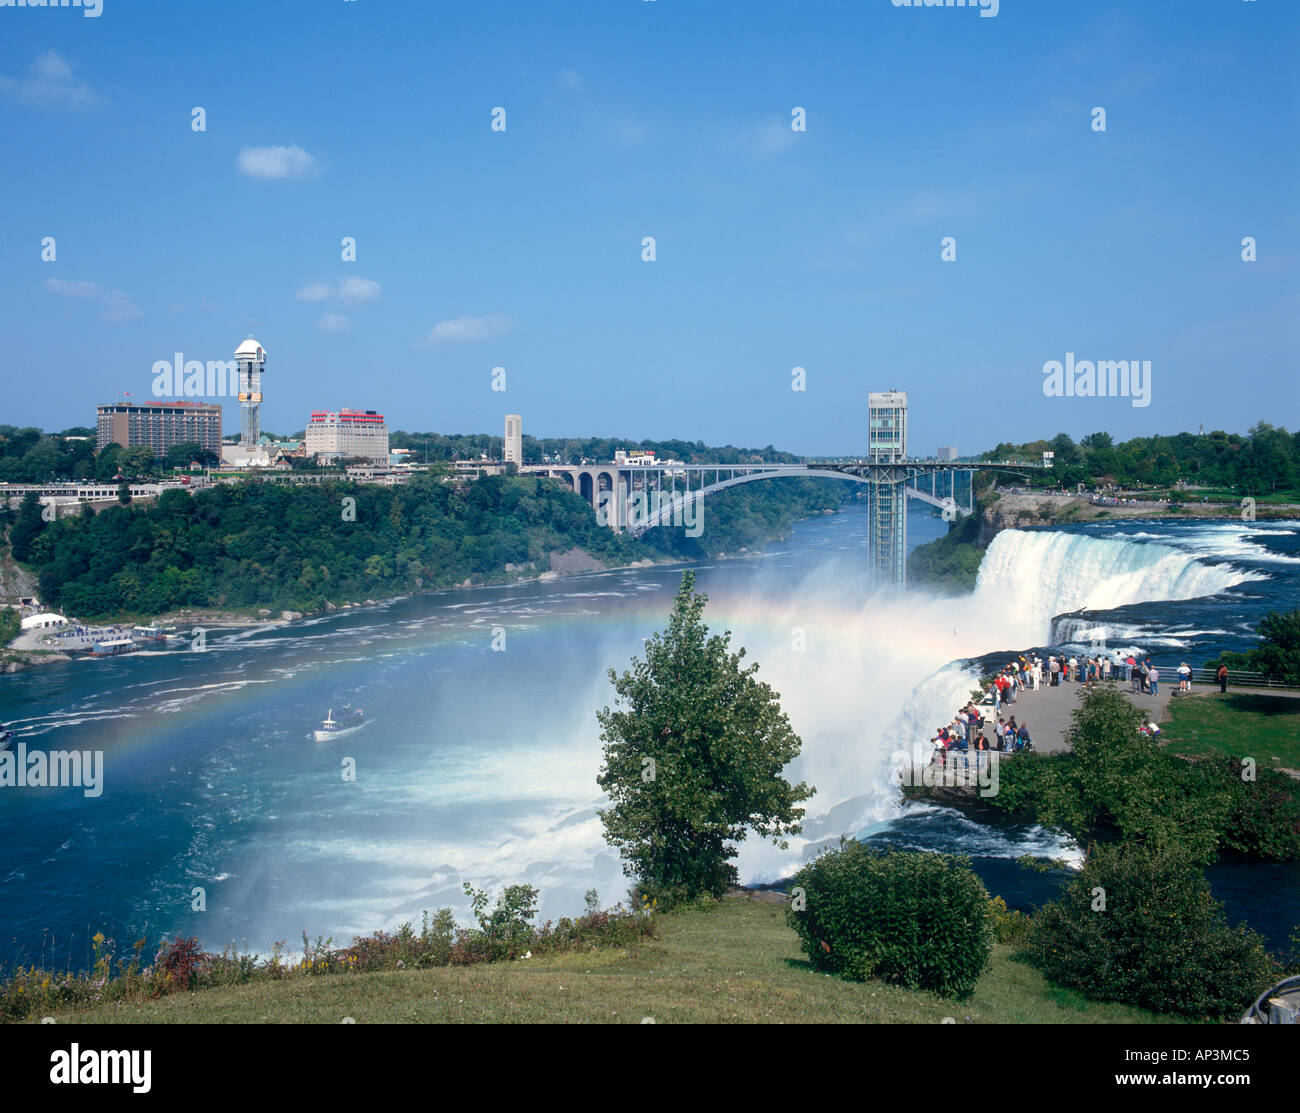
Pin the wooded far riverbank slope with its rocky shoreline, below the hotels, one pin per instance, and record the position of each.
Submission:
(421, 542)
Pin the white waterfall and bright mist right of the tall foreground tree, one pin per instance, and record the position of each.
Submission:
(844, 699)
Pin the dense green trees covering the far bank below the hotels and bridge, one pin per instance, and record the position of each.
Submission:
(261, 545)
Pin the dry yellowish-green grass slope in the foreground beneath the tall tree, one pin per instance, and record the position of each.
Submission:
(734, 963)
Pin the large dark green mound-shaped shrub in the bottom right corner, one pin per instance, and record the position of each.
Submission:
(1139, 926)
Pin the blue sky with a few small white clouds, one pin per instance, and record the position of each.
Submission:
(627, 119)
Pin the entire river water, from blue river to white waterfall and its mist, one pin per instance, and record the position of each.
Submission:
(479, 764)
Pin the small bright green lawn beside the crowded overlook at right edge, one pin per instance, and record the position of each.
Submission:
(1241, 724)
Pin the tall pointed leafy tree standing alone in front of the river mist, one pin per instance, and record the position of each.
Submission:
(694, 760)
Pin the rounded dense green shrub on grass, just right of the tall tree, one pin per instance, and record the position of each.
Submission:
(915, 920)
